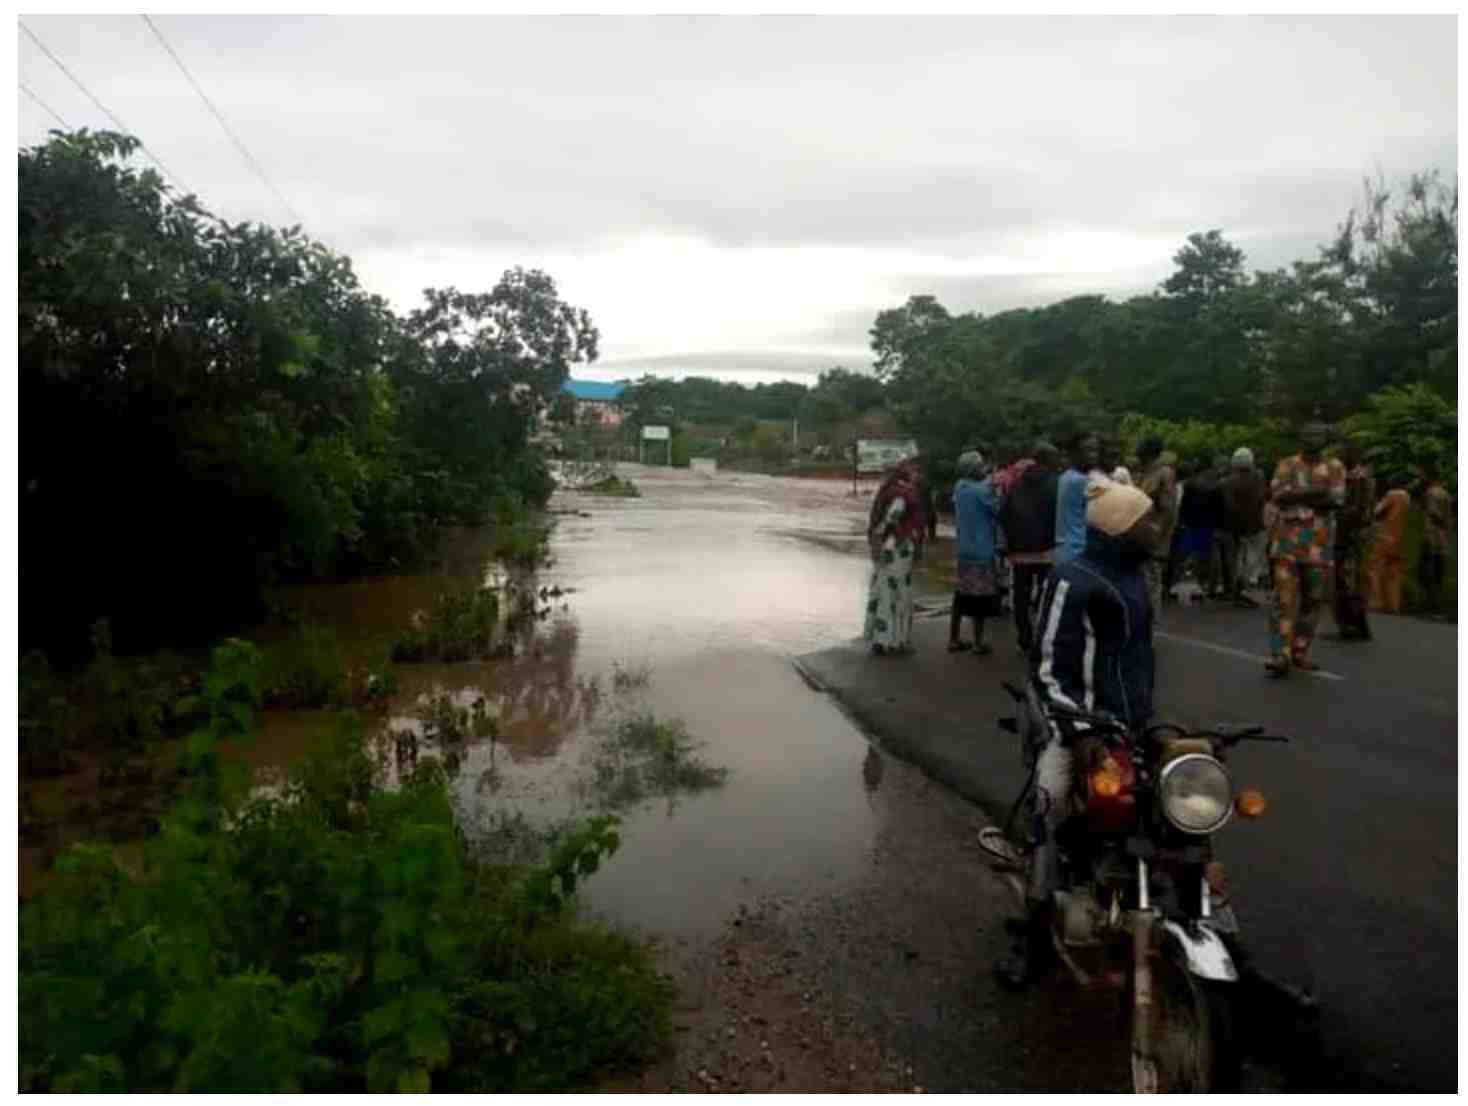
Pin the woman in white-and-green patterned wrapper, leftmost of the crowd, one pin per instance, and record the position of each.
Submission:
(895, 534)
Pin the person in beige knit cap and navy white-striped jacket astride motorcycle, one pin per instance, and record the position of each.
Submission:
(1094, 653)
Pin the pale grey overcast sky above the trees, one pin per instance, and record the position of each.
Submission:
(742, 196)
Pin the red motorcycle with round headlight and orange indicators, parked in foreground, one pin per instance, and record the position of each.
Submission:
(1141, 901)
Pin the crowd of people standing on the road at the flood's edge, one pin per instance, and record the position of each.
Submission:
(1313, 537)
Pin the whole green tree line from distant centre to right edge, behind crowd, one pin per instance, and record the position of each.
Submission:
(1366, 334)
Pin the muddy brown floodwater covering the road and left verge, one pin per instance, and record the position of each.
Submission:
(707, 585)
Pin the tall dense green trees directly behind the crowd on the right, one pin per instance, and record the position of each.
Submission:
(1213, 347)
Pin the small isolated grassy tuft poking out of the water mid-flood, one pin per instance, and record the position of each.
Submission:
(639, 757)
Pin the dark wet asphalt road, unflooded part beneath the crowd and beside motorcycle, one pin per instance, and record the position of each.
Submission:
(1347, 886)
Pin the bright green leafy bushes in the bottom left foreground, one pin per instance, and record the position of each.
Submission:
(334, 938)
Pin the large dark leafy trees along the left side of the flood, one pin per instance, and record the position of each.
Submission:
(259, 416)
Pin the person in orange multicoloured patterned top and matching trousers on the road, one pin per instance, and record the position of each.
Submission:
(1307, 491)
